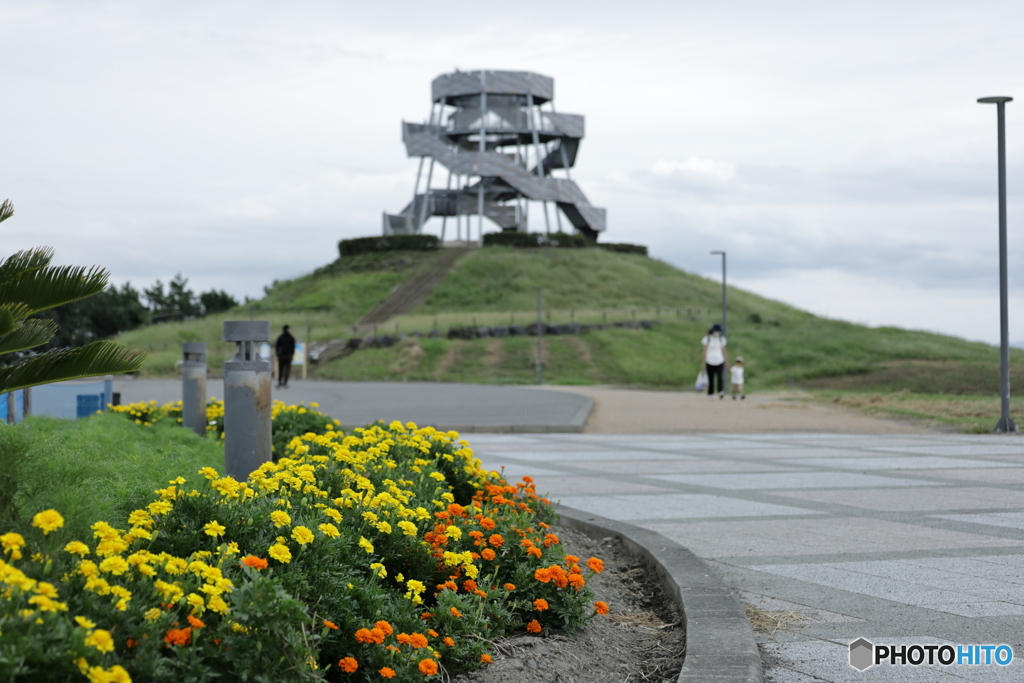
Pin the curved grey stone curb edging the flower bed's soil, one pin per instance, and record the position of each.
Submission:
(720, 644)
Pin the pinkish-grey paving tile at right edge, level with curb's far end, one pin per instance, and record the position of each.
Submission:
(908, 500)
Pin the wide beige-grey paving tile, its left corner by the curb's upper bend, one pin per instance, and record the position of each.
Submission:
(814, 537)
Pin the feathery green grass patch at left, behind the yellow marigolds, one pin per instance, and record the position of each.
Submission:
(98, 468)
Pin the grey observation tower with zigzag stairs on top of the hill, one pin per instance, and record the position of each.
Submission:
(491, 131)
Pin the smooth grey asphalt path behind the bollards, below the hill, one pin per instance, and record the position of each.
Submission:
(465, 408)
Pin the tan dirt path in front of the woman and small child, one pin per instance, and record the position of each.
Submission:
(644, 412)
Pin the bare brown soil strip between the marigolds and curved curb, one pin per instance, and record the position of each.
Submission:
(641, 639)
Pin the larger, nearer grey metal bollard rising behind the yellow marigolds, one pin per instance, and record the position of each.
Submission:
(247, 400)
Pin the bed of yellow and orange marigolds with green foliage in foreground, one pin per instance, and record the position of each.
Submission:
(388, 553)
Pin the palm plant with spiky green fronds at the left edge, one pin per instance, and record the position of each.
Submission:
(30, 285)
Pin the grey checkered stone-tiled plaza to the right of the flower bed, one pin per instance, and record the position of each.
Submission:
(898, 539)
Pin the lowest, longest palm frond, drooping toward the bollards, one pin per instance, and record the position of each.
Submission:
(102, 358)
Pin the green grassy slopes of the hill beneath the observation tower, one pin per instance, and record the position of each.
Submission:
(783, 346)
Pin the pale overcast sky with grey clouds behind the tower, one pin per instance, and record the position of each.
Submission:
(835, 150)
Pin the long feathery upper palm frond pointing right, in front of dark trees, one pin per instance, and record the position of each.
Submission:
(52, 287)
